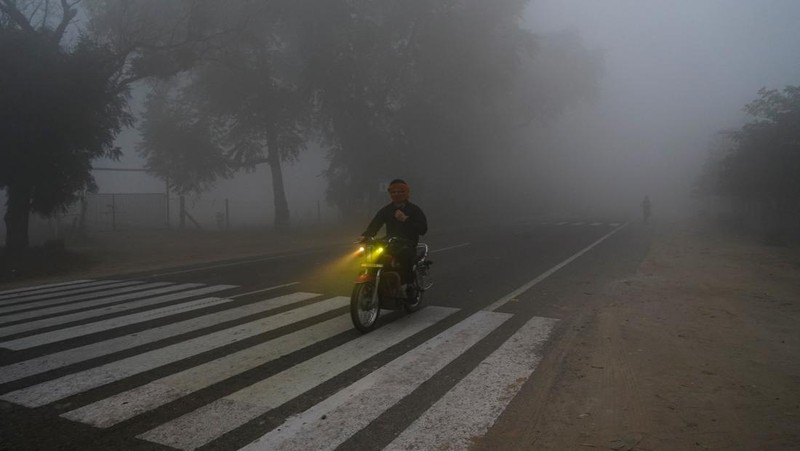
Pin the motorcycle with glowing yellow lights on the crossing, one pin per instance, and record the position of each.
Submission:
(378, 283)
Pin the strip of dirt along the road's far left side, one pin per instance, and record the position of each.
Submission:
(122, 252)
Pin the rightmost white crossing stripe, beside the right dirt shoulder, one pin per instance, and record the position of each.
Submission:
(470, 408)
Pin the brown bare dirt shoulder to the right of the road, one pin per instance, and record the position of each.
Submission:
(700, 349)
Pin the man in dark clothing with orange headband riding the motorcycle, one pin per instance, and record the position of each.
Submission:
(403, 219)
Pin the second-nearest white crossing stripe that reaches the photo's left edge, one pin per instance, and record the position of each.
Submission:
(71, 356)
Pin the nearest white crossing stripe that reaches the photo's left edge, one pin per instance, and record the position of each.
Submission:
(50, 391)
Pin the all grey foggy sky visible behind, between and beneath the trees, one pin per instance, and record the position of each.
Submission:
(673, 75)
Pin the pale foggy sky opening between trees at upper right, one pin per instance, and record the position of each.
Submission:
(676, 72)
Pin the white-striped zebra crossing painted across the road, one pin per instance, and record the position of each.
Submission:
(191, 351)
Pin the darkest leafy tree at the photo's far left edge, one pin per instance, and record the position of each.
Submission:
(58, 114)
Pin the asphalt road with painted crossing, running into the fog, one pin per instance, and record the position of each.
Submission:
(260, 353)
